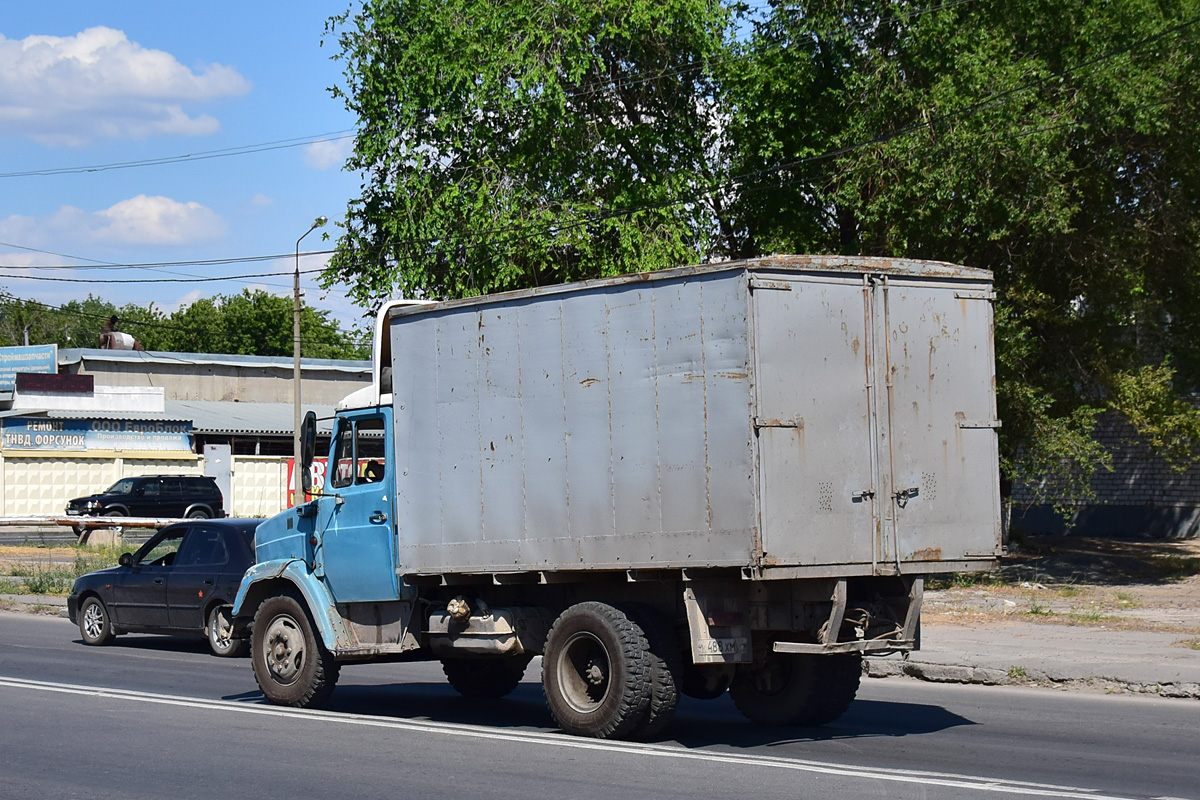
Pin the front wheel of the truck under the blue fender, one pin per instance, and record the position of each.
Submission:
(292, 666)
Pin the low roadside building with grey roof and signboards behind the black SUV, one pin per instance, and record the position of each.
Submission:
(112, 414)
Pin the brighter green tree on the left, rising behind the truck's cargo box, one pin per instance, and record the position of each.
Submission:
(505, 145)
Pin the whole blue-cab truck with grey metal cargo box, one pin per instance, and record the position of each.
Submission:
(723, 478)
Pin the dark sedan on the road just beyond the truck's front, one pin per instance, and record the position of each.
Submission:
(181, 582)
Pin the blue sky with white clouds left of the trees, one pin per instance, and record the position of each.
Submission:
(98, 85)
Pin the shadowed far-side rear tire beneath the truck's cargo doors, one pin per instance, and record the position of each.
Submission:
(791, 689)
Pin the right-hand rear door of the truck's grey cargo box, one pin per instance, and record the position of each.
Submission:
(939, 453)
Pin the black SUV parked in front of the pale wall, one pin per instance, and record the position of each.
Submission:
(154, 496)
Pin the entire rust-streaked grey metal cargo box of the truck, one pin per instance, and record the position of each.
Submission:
(791, 417)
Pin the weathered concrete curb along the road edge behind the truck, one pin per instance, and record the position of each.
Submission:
(940, 673)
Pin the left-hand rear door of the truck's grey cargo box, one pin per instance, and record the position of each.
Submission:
(814, 420)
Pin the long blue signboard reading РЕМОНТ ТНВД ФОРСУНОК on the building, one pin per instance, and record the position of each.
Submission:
(40, 434)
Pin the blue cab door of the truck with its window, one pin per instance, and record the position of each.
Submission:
(357, 551)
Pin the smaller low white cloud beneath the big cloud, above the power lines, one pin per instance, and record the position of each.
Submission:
(137, 221)
